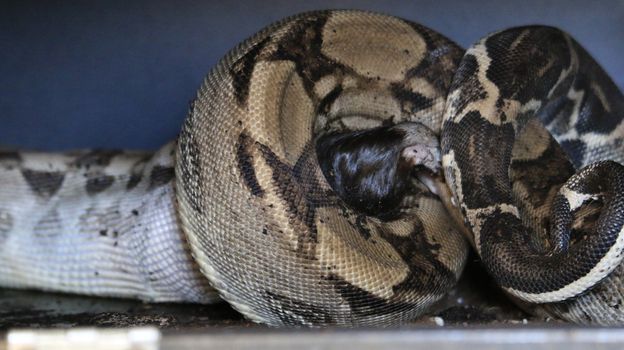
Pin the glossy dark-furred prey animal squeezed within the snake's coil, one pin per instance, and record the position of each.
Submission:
(371, 170)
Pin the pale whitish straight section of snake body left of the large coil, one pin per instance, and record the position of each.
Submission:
(95, 222)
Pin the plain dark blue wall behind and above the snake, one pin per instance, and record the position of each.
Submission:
(113, 74)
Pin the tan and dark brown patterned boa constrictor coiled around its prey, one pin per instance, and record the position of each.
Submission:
(308, 183)
